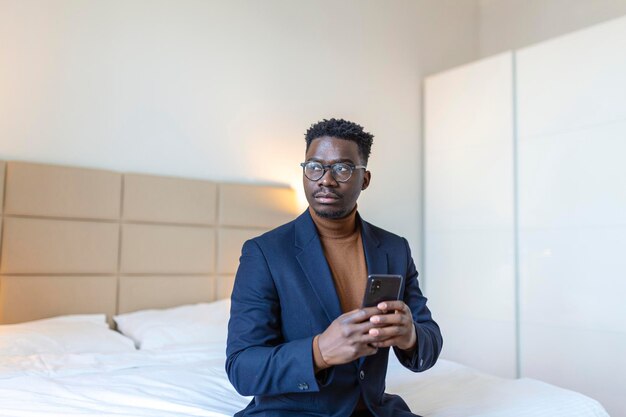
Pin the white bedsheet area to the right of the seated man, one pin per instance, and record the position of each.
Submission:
(453, 390)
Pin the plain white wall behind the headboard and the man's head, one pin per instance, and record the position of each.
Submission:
(226, 89)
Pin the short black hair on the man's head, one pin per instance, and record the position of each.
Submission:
(342, 129)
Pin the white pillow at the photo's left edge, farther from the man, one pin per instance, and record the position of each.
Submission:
(86, 333)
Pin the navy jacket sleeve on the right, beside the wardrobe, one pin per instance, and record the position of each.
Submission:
(429, 340)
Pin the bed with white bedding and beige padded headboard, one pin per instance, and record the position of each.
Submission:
(114, 302)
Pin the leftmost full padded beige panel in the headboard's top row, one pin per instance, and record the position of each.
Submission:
(56, 191)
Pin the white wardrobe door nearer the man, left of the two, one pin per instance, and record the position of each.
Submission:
(469, 268)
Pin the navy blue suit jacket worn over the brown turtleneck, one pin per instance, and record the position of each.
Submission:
(283, 296)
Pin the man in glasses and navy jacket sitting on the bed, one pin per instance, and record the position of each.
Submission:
(298, 339)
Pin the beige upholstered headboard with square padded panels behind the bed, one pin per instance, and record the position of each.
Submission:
(78, 240)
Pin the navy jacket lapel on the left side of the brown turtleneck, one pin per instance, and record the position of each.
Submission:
(315, 267)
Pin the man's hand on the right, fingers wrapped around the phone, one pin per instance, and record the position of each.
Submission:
(394, 329)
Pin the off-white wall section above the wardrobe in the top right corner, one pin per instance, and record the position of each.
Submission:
(512, 24)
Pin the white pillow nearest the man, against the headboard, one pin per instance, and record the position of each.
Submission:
(186, 325)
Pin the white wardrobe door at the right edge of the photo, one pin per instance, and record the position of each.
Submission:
(572, 212)
